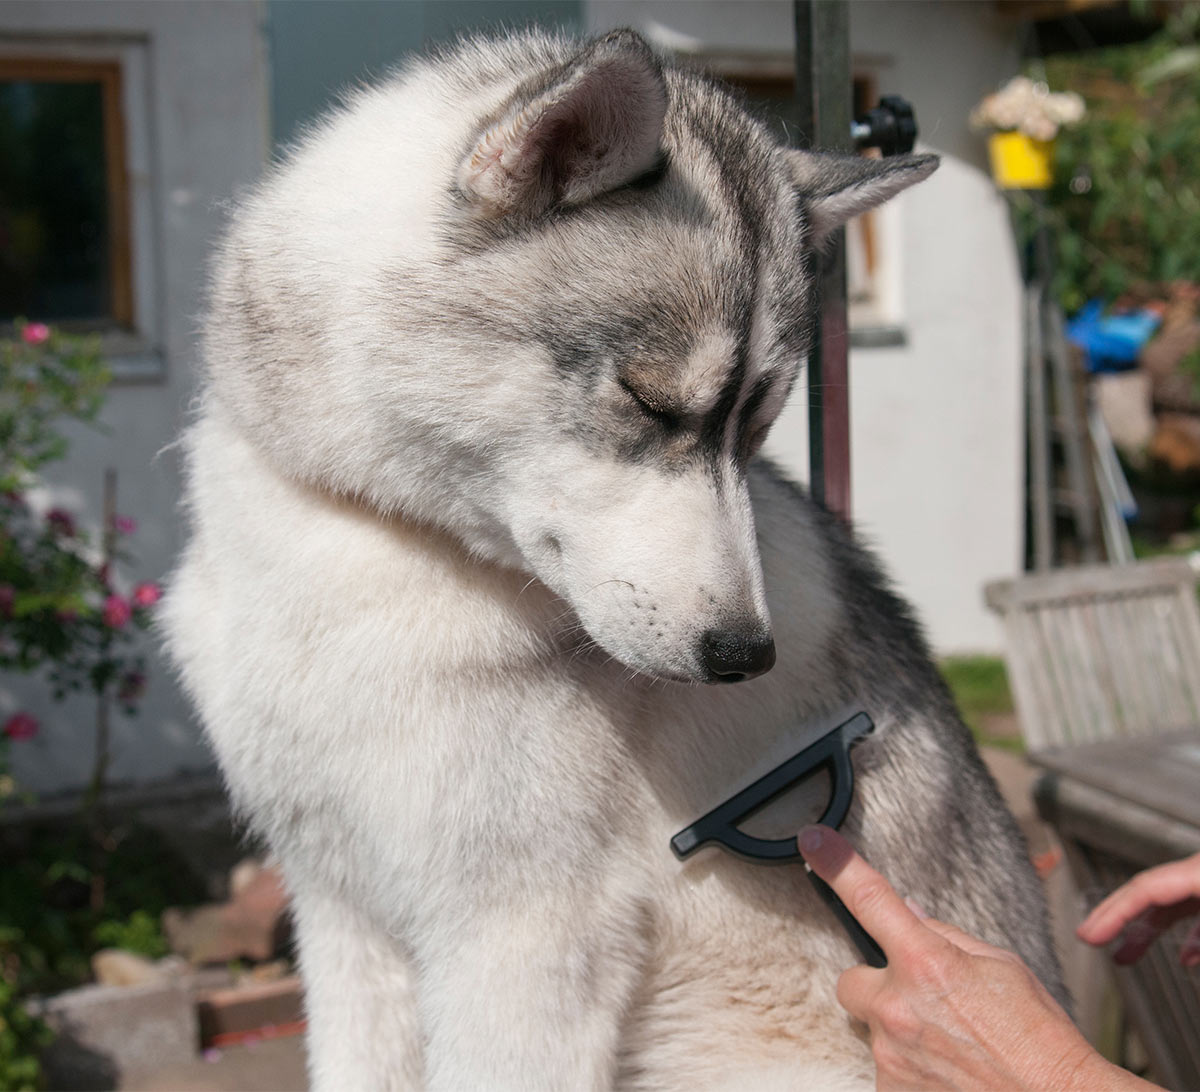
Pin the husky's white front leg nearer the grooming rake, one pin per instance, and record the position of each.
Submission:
(531, 997)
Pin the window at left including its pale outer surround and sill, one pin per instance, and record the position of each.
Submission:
(80, 209)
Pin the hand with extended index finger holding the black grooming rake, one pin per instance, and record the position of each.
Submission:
(951, 1012)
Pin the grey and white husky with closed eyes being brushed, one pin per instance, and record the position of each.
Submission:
(476, 517)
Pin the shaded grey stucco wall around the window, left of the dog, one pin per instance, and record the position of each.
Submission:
(202, 135)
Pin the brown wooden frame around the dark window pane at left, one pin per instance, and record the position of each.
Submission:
(109, 76)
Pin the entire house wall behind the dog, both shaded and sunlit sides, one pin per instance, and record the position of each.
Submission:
(935, 422)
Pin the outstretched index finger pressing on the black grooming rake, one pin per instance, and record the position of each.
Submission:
(868, 896)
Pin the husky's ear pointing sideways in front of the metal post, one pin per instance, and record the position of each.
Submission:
(837, 188)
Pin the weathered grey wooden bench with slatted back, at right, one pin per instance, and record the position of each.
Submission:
(1105, 664)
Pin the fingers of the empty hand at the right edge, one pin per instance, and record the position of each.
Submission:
(1141, 910)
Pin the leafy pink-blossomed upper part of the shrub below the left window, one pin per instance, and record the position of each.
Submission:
(62, 615)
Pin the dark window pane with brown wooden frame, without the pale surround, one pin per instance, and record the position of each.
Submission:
(64, 199)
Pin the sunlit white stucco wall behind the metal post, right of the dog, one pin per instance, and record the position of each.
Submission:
(937, 434)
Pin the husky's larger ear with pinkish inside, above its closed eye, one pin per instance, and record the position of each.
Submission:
(597, 127)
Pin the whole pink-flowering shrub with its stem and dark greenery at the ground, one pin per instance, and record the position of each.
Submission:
(64, 619)
